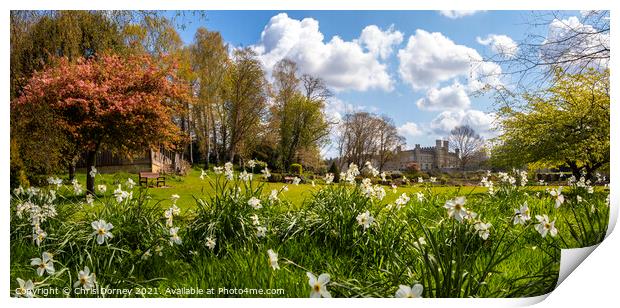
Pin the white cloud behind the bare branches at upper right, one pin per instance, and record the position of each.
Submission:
(569, 39)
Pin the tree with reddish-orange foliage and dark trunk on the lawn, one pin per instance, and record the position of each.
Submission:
(120, 104)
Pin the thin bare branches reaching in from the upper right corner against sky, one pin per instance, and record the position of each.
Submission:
(555, 42)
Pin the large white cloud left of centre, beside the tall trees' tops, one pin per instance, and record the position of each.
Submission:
(342, 64)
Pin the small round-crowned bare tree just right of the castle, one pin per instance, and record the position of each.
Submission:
(469, 144)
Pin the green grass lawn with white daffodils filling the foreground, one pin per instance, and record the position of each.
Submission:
(367, 247)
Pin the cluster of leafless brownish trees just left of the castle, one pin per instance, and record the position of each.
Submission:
(365, 137)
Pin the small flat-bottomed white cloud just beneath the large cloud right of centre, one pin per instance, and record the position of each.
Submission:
(446, 98)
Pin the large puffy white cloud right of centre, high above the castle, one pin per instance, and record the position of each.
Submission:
(430, 58)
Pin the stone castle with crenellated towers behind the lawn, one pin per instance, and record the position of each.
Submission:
(424, 158)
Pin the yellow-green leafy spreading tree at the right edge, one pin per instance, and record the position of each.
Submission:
(566, 125)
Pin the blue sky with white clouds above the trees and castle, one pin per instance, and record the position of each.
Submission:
(420, 68)
